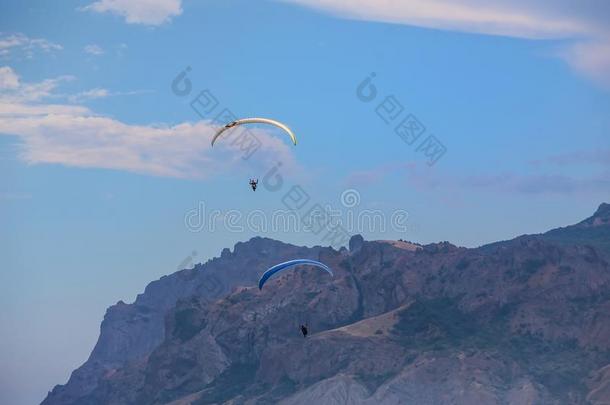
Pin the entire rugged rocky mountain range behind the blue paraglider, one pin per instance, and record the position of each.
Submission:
(525, 321)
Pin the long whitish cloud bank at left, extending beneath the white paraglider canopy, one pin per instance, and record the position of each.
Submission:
(76, 136)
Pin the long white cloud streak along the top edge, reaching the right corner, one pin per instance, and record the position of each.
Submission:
(585, 22)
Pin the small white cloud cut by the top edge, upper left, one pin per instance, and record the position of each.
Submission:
(147, 12)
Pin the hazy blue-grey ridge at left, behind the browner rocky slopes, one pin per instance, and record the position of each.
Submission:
(130, 332)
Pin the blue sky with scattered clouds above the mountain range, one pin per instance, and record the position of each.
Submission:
(466, 121)
